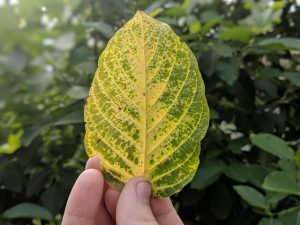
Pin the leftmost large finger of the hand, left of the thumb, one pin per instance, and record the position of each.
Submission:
(84, 200)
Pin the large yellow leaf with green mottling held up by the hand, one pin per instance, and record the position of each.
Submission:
(146, 111)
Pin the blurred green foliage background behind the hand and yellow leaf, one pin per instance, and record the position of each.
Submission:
(249, 55)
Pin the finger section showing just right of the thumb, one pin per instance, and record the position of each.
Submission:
(164, 212)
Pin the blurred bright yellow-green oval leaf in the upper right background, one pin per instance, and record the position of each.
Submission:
(241, 34)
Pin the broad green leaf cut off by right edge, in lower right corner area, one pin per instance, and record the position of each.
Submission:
(281, 182)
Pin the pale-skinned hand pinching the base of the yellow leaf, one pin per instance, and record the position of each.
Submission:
(93, 202)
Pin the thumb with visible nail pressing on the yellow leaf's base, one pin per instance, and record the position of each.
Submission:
(133, 207)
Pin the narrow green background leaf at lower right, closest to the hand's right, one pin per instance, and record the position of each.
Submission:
(252, 196)
